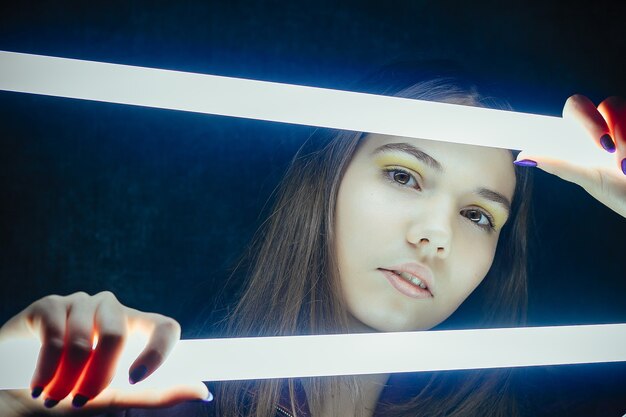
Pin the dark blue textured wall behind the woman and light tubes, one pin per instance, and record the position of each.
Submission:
(157, 205)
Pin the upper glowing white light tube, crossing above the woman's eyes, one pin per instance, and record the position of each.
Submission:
(293, 104)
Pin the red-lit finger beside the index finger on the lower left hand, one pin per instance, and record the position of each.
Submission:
(111, 328)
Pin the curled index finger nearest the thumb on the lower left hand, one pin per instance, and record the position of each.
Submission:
(165, 334)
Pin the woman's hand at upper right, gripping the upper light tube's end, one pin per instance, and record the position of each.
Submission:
(606, 126)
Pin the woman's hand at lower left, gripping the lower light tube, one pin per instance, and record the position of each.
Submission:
(72, 375)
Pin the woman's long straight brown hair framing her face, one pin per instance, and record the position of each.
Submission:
(293, 287)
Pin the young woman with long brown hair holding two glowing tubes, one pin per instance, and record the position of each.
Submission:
(368, 233)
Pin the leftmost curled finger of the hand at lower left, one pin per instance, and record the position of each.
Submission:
(48, 318)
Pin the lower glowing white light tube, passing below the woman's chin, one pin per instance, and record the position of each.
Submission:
(304, 356)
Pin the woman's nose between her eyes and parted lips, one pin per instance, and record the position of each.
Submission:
(431, 233)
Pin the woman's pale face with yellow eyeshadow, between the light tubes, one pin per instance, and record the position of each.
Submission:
(417, 227)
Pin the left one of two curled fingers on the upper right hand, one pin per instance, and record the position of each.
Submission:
(582, 111)
